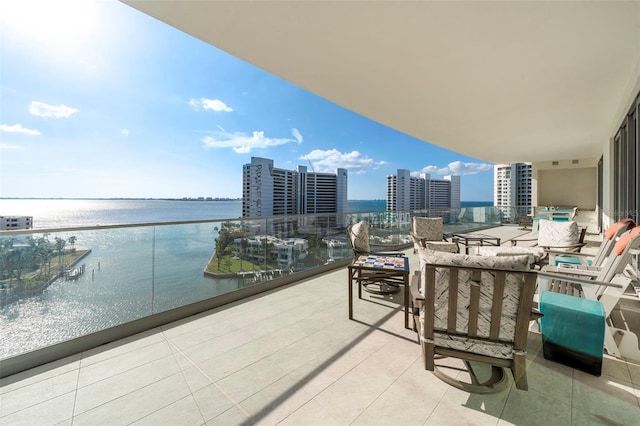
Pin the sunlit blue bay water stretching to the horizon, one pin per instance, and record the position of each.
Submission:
(130, 272)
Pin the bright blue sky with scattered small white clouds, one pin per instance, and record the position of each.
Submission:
(100, 100)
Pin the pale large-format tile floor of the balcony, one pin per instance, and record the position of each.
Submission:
(292, 357)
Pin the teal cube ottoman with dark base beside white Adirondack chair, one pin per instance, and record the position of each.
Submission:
(572, 331)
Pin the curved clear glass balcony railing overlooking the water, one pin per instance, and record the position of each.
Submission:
(62, 284)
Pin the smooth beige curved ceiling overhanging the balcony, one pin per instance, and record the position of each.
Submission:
(498, 81)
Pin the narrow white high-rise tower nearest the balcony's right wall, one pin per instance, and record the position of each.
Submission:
(512, 188)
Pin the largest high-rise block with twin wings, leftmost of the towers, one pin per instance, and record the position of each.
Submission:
(269, 191)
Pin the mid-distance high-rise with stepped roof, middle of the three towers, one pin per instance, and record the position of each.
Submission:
(406, 192)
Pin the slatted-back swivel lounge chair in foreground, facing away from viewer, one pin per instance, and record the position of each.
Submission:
(476, 309)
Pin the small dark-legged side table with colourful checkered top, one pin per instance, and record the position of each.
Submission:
(383, 270)
